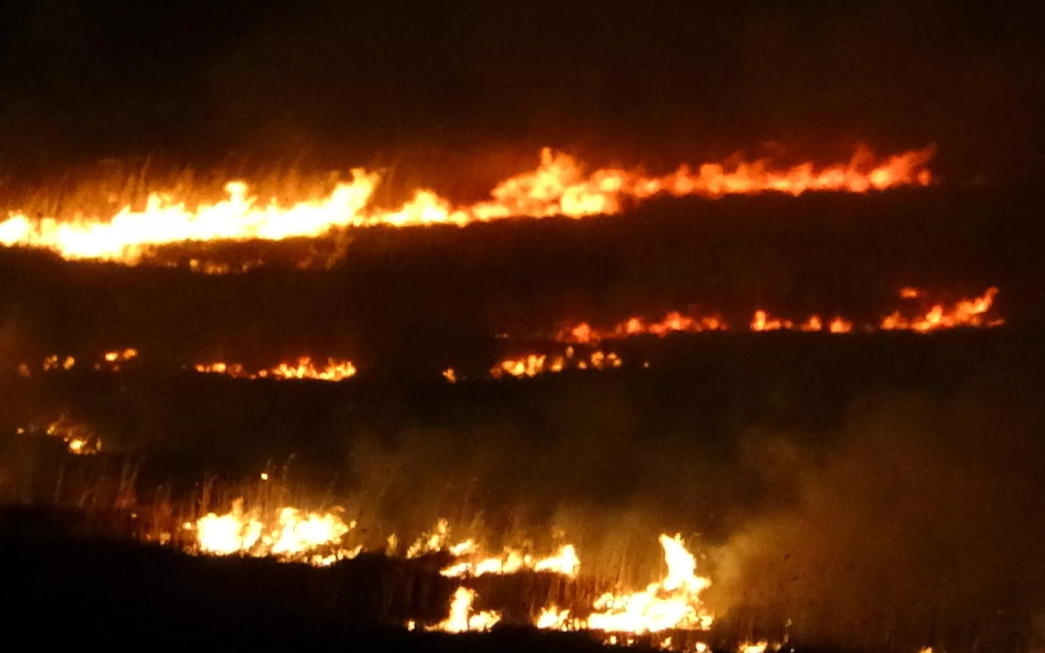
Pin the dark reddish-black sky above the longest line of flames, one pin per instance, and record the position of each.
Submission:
(652, 81)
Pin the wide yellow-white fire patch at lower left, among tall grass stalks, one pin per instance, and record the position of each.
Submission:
(292, 535)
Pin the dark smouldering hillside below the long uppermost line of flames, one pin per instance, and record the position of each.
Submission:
(874, 492)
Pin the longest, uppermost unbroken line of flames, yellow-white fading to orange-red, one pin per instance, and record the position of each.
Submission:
(560, 186)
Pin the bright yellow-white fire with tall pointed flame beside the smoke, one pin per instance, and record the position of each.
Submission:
(671, 603)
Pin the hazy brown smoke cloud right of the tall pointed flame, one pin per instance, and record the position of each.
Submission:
(925, 511)
